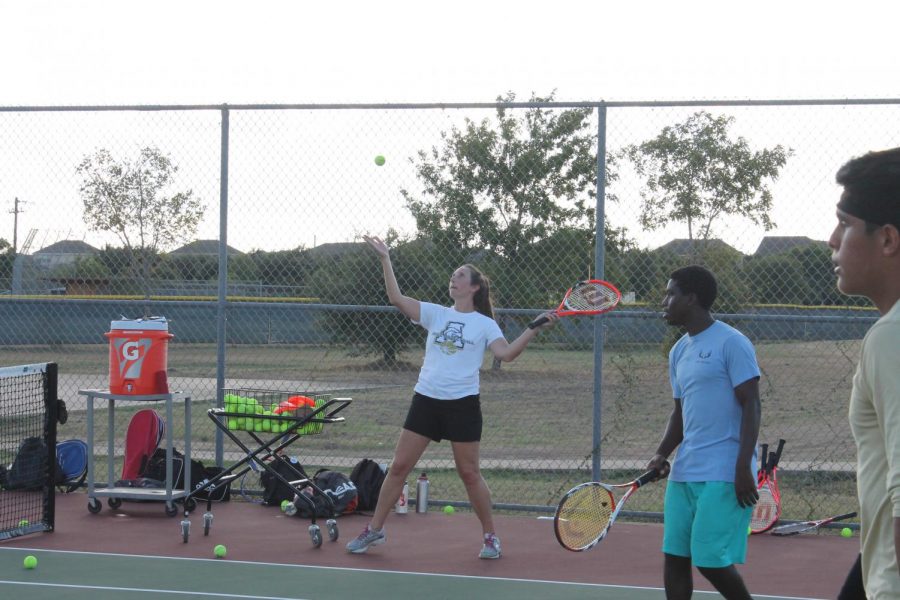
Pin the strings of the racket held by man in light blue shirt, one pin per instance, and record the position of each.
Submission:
(584, 516)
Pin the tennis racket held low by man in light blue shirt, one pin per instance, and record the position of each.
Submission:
(587, 512)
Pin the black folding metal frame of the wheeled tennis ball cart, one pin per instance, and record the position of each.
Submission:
(268, 445)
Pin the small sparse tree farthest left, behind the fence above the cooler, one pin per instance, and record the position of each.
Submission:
(135, 200)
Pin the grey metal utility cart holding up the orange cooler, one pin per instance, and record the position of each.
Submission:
(115, 495)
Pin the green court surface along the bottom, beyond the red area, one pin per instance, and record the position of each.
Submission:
(83, 575)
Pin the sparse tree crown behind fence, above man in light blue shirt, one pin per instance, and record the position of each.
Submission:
(696, 173)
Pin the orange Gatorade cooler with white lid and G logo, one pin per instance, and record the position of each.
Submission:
(138, 356)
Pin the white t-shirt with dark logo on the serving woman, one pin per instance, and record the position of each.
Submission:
(454, 350)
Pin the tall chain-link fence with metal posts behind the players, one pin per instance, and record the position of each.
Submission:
(132, 211)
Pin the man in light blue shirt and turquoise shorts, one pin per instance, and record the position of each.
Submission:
(715, 425)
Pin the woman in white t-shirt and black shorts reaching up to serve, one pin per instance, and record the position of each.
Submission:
(446, 402)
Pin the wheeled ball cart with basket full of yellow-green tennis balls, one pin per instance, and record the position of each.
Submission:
(268, 421)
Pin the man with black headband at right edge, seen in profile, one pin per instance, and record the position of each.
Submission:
(866, 253)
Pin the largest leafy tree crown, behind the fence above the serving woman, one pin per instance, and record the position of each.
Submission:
(499, 187)
